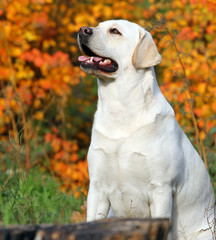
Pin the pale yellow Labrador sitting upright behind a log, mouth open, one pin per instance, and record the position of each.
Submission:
(141, 164)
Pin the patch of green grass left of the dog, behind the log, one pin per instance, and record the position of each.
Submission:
(34, 198)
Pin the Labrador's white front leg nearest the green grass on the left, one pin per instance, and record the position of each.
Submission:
(97, 203)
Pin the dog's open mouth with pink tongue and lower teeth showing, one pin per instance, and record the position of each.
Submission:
(95, 62)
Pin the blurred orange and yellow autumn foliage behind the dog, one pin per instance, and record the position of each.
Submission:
(47, 103)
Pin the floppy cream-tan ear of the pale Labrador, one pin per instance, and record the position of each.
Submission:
(146, 53)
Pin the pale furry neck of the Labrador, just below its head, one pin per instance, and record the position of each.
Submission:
(135, 90)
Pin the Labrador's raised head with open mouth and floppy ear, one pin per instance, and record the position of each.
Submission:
(115, 46)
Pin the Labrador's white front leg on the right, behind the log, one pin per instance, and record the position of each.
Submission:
(161, 201)
